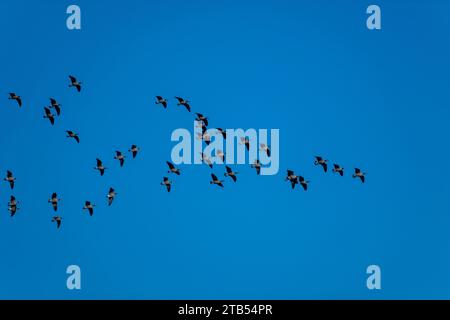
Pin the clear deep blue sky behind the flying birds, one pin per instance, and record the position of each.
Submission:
(378, 100)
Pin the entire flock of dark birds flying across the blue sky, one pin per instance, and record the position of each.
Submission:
(134, 150)
